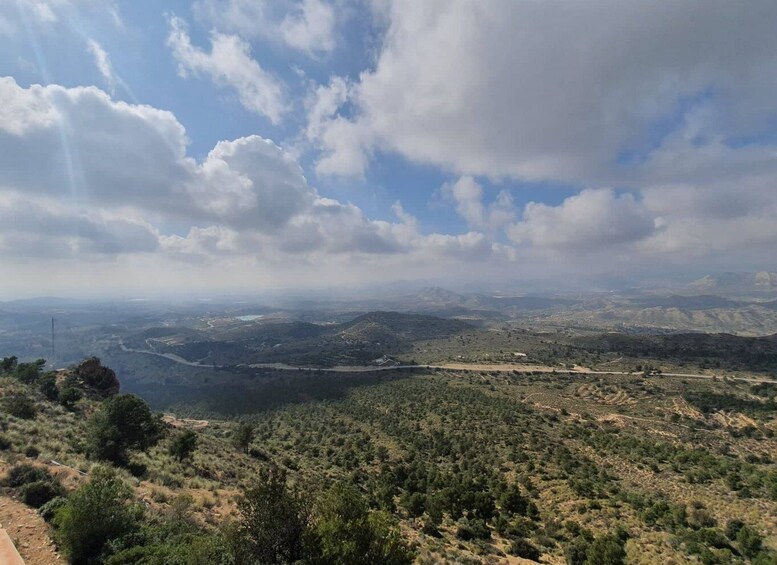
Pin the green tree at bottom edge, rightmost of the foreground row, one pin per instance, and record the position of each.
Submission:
(346, 533)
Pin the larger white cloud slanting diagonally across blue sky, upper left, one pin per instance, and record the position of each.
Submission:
(229, 64)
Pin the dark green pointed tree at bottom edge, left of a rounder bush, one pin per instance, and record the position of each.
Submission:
(273, 522)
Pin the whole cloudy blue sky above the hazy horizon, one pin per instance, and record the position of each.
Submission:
(244, 145)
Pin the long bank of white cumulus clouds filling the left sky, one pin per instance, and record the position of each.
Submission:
(87, 179)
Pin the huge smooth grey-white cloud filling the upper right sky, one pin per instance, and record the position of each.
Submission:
(551, 90)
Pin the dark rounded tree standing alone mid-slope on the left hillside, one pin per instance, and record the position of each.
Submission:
(124, 422)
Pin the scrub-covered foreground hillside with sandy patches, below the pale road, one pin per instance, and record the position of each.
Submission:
(466, 466)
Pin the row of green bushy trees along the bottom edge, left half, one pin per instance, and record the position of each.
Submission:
(103, 523)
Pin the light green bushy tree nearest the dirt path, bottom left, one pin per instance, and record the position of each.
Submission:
(99, 512)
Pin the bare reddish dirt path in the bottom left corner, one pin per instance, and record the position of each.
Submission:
(29, 532)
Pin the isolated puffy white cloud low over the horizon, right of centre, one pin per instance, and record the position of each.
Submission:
(592, 220)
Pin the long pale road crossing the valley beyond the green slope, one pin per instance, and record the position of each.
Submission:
(447, 367)
